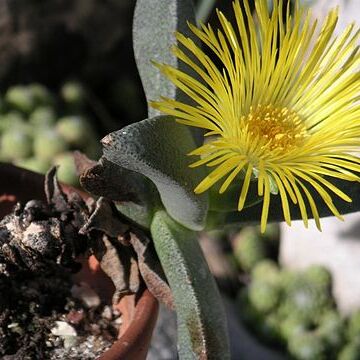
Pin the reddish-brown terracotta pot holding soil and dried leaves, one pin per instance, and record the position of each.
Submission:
(139, 314)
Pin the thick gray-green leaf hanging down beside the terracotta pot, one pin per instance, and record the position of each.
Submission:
(202, 331)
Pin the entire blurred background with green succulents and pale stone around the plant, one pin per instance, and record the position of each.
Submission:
(68, 77)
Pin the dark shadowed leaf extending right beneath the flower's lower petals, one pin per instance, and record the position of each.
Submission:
(252, 214)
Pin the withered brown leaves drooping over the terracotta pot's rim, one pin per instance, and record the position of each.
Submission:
(128, 256)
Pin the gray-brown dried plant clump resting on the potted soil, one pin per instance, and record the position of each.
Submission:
(38, 234)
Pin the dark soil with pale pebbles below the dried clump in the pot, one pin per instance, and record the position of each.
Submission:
(43, 317)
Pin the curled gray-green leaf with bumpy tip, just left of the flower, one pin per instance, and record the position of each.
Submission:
(157, 148)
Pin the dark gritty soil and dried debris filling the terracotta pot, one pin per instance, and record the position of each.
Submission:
(44, 314)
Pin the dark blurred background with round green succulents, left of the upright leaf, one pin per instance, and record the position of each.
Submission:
(67, 77)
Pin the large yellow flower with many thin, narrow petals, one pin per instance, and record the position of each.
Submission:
(282, 108)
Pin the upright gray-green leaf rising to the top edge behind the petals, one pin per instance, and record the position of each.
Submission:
(154, 27)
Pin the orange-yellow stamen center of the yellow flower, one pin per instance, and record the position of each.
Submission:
(279, 128)
